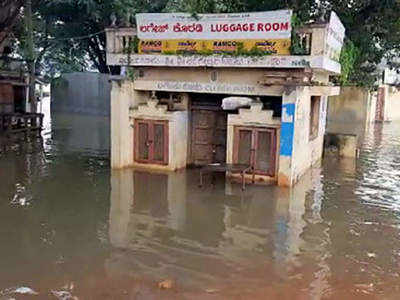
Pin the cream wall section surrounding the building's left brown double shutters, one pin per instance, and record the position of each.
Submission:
(126, 106)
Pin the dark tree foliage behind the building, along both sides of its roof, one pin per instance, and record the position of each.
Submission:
(69, 33)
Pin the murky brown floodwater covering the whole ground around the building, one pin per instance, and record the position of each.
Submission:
(72, 229)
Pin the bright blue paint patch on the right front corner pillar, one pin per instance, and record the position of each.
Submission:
(287, 129)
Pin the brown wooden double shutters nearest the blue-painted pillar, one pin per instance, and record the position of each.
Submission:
(256, 147)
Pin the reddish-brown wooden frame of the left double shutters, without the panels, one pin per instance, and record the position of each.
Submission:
(150, 127)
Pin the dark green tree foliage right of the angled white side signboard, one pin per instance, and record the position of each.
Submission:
(373, 27)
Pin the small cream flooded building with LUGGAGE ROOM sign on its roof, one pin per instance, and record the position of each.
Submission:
(195, 98)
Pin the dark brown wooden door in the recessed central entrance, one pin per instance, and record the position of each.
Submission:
(208, 136)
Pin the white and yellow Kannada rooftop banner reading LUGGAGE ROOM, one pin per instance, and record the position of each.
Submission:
(268, 32)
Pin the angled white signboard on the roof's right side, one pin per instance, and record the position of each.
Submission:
(335, 37)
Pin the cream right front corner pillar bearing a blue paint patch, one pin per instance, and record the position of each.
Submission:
(285, 170)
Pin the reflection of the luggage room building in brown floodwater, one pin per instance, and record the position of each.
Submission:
(206, 237)
